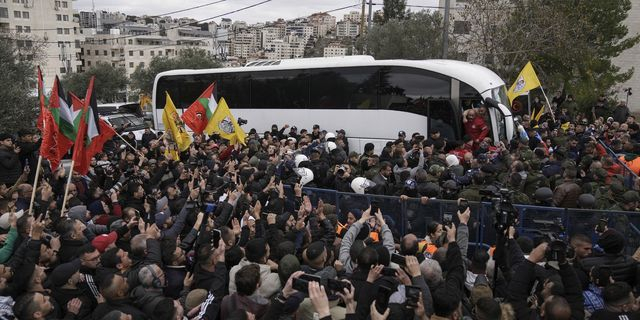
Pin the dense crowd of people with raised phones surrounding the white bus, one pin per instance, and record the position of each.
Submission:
(211, 233)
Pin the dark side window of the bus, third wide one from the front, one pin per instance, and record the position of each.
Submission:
(279, 90)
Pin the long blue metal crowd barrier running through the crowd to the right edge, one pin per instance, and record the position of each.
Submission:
(411, 216)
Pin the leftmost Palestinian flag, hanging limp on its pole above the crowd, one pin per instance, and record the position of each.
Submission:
(62, 121)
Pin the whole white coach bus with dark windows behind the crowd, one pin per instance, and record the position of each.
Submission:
(370, 99)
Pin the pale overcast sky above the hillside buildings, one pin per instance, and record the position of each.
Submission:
(270, 11)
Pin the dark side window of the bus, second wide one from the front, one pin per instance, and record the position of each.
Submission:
(344, 88)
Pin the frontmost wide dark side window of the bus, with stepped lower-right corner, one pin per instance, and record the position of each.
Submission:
(407, 89)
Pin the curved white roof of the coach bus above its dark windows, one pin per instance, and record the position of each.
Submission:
(479, 77)
